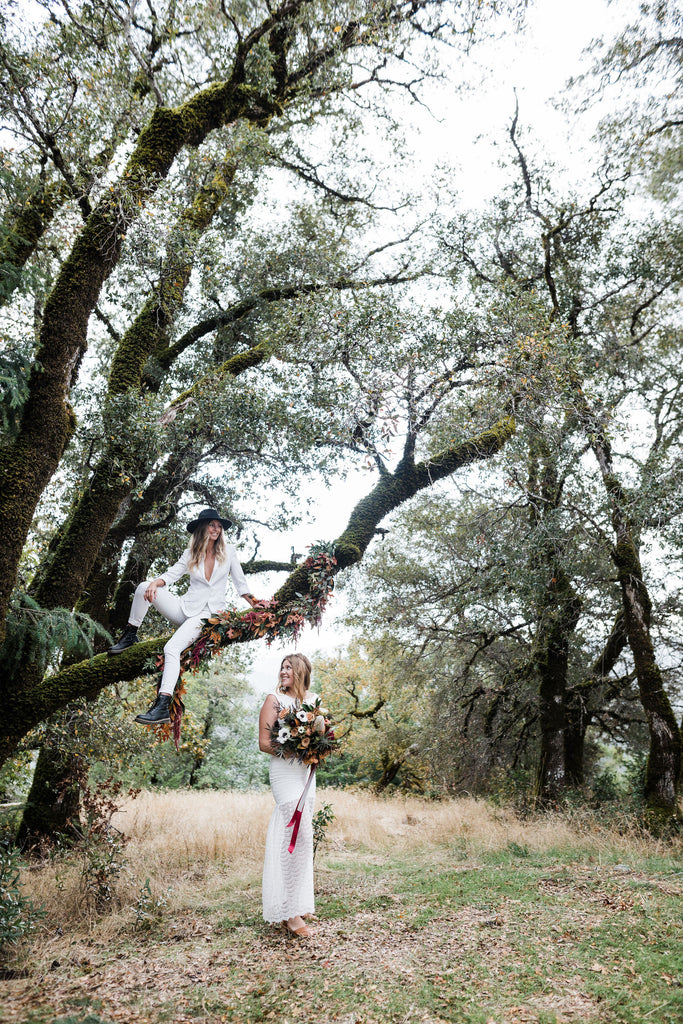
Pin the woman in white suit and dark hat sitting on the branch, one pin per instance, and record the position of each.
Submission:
(208, 562)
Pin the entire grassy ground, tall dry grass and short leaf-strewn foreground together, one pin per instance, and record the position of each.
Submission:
(429, 913)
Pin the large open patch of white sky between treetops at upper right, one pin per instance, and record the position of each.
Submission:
(469, 130)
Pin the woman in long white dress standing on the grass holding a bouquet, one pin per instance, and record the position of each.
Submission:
(288, 878)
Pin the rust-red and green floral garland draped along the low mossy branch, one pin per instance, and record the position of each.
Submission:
(269, 619)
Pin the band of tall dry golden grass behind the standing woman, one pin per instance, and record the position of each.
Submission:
(192, 845)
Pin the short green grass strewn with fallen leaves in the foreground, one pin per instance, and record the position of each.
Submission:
(505, 936)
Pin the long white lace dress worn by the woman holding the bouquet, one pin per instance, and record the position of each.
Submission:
(288, 878)
